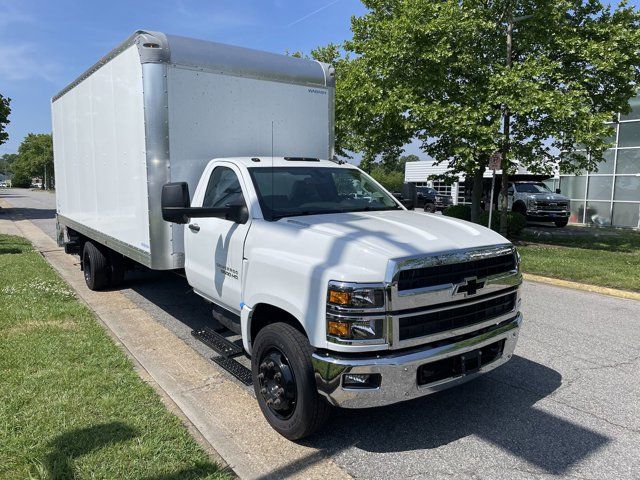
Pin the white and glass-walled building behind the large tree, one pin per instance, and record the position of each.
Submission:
(608, 196)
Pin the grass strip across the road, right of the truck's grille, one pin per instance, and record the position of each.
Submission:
(604, 257)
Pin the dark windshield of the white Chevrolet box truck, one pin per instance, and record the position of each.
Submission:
(292, 191)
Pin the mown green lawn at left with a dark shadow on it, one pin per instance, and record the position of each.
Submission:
(71, 404)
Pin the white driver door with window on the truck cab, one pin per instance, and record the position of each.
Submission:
(214, 246)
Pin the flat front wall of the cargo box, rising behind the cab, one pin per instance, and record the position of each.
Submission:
(212, 115)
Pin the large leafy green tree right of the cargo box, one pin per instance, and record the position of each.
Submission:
(438, 71)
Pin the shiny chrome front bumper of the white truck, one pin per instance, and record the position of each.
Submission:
(399, 370)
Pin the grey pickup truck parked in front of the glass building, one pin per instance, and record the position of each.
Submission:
(537, 202)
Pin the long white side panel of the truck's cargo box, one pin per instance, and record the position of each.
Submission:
(99, 152)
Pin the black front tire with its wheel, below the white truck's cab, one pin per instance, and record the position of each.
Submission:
(284, 382)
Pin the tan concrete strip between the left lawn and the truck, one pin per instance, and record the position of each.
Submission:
(224, 415)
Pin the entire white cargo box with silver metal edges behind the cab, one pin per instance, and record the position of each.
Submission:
(157, 109)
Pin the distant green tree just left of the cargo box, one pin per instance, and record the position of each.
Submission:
(35, 158)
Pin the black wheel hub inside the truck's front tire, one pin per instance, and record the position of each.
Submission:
(277, 384)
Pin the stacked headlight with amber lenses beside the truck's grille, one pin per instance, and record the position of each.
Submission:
(355, 312)
